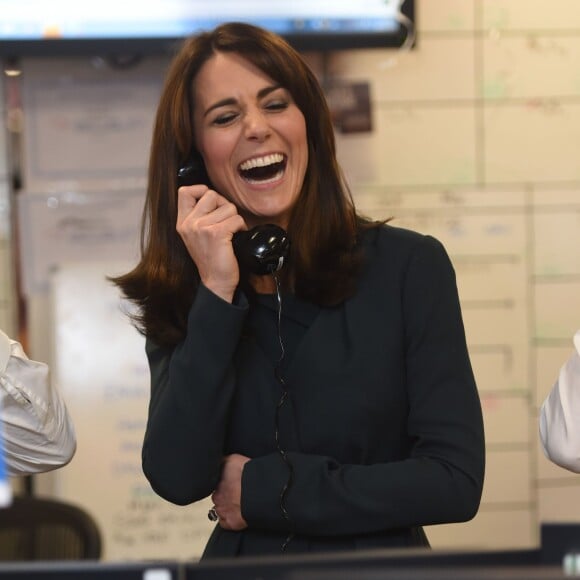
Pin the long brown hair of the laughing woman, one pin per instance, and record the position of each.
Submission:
(323, 227)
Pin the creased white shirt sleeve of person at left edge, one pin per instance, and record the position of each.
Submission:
(38, 432)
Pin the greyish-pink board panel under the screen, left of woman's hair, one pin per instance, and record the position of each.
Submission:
(88, 125)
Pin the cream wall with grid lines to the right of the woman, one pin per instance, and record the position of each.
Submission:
(475, 140)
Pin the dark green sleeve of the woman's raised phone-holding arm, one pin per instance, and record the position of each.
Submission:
(191, 391)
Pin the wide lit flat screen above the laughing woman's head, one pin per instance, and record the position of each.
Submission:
(68, 28)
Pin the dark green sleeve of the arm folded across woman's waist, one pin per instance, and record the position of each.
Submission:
(441, 479)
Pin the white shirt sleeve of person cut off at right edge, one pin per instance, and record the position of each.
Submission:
(560, 415)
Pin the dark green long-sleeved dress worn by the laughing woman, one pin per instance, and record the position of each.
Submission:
(382, 423)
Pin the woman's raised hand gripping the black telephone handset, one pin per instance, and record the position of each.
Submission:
(206, 222)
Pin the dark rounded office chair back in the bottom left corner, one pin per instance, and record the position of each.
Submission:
(33, 528)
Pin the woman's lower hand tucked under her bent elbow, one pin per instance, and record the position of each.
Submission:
(227, 497)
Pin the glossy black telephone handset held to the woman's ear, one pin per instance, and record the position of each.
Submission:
(261, 250)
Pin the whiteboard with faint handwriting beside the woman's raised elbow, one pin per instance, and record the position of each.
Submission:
(100, 366)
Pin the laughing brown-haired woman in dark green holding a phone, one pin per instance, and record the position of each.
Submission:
(329, 405)
